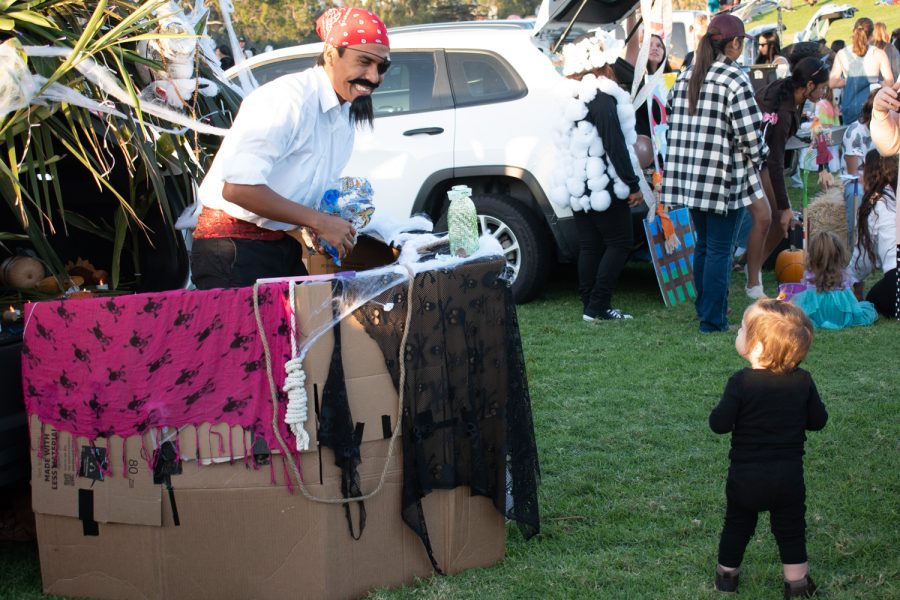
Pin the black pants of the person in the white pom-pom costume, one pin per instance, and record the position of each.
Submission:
(604, 242)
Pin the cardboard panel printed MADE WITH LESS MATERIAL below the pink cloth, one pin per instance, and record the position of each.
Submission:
(64, 469)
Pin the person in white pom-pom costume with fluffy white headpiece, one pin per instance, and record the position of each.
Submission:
(598, 172)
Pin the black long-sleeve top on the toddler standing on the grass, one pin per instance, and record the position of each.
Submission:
(768, 414)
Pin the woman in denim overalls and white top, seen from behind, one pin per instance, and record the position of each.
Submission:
(858, 68)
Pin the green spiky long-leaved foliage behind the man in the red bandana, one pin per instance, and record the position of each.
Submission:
(155, 168)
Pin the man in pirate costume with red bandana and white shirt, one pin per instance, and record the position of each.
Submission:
(291, 138)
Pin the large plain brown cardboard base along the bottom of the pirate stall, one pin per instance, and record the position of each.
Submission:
(265, 543)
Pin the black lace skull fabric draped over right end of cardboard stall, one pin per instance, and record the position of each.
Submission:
(467, 413)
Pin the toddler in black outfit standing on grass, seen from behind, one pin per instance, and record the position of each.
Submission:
(767, 408)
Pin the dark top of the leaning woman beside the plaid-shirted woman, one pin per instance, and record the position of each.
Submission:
(778, 98)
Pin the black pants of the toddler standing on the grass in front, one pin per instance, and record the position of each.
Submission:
(752, 488)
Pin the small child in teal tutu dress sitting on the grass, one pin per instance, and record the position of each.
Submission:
(828, 299)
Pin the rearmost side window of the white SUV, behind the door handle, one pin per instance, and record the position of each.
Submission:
(482, 78)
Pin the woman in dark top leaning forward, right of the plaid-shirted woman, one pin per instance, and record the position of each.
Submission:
(781, 102)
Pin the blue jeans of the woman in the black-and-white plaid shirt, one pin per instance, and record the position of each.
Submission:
(712, 265)
